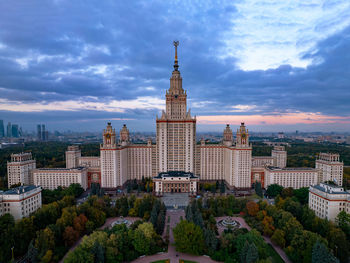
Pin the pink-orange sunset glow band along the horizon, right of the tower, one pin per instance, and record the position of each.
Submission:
(287, 118)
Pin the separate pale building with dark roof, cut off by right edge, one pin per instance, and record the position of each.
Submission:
(328, 200)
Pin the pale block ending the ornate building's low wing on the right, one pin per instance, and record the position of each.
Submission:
(331, 168)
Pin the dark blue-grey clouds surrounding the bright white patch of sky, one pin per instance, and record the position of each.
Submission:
(62, 45)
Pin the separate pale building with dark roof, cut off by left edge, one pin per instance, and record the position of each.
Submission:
(20, 201)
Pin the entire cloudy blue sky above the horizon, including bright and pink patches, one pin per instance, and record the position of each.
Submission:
(277, 65)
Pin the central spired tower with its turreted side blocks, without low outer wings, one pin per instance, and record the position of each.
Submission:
(176, 149)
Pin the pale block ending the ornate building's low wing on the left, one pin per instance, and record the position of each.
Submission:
(19, 169)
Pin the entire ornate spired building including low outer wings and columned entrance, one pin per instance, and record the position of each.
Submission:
(177, 161)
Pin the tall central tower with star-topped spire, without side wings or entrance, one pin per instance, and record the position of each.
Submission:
(176, 129)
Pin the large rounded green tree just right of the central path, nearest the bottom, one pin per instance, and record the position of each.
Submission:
(189, 238)
